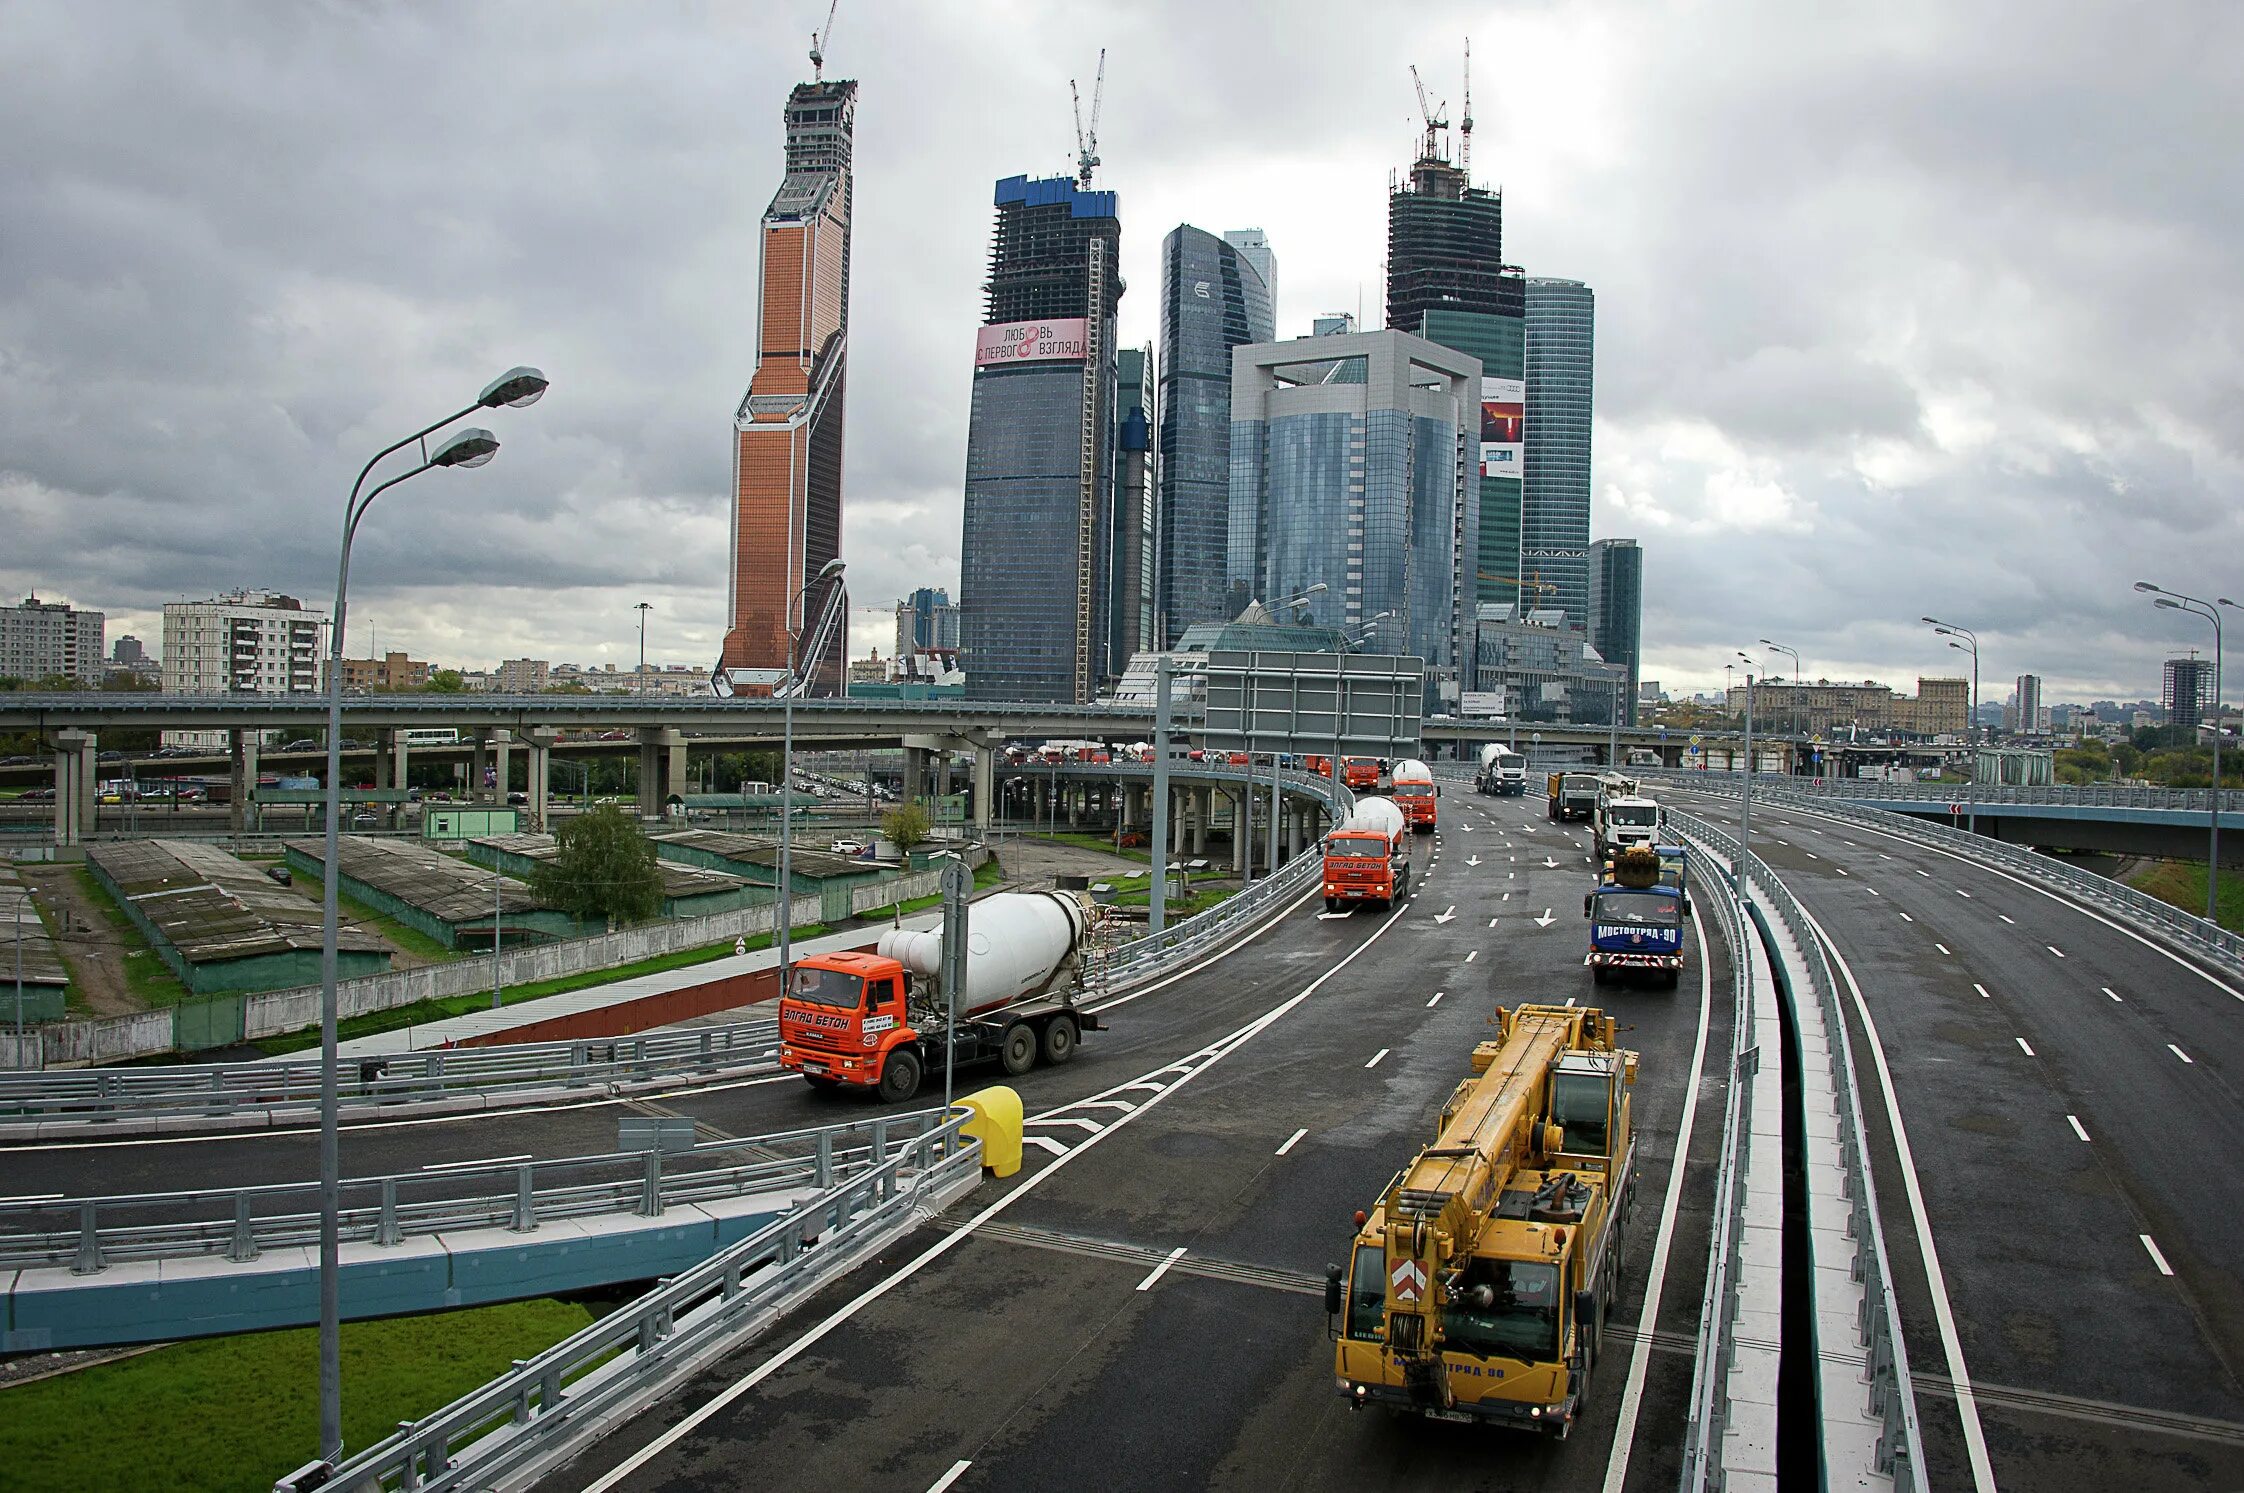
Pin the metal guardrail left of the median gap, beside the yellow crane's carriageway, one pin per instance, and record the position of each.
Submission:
(1709, 1409)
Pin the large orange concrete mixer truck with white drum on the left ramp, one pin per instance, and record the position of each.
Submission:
(879, 1020)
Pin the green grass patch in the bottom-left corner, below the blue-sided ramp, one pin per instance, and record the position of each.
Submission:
(230, 1416)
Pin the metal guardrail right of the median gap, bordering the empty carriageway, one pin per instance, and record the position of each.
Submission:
(1893, 1395)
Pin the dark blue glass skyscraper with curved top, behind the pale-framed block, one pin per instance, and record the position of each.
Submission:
(1215, 295)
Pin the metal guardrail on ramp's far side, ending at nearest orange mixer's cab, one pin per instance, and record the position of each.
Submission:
(387, 1079)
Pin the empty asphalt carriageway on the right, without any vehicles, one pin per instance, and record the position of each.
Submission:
(2070, 1099)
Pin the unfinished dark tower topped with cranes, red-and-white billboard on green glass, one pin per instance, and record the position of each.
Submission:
(1449, 282)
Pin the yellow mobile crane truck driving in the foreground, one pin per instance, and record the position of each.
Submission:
(1478, 1288)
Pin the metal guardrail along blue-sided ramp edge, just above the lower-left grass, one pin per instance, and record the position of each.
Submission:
(243, 1222)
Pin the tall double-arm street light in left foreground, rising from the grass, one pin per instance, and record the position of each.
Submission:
(468, 448)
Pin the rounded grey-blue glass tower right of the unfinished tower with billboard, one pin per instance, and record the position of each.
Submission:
(1554, 517)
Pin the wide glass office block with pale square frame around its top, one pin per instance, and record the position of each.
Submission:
(1359, 473)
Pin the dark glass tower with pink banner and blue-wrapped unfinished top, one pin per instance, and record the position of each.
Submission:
(1038, 547)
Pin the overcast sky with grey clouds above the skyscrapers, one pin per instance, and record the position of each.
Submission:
(1904, 309)
